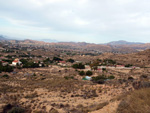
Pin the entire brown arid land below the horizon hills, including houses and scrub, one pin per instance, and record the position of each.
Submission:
(63, 78)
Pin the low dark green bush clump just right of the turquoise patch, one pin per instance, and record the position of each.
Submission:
(101, 79)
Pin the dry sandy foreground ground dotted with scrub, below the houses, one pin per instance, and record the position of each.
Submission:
(46, 90)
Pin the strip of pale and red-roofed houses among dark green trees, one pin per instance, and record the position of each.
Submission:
(94, 68)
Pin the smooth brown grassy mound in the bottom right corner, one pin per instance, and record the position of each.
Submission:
(137, 102)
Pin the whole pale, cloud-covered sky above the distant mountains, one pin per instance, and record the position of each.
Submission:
(93, 21)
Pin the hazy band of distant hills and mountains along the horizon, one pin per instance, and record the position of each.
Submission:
(115, 46)
